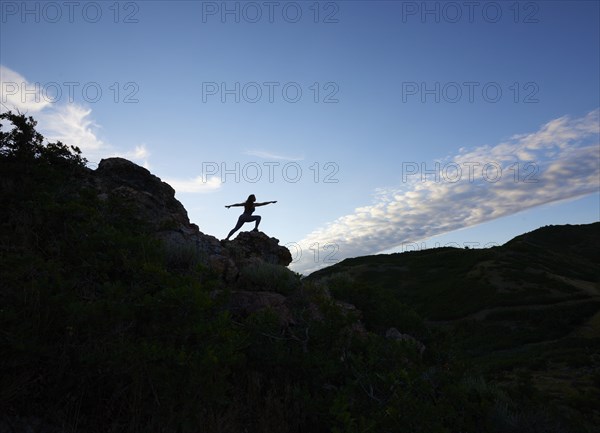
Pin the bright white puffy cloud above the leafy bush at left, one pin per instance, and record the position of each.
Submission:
(71, 123)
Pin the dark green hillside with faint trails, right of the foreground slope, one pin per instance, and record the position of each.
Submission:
(529, 308)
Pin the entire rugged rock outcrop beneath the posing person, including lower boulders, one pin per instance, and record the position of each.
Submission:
(252, 266)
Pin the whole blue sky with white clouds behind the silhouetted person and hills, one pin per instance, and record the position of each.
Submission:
(378, 126)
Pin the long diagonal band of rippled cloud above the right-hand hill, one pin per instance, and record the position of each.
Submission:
(559, 161)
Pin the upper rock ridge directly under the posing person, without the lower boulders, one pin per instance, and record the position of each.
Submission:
(153, 201)
